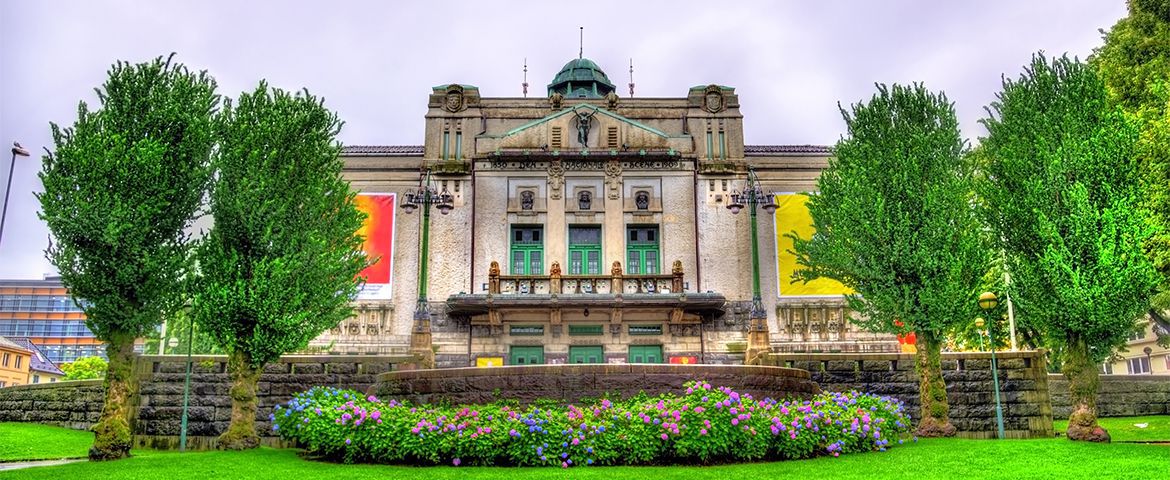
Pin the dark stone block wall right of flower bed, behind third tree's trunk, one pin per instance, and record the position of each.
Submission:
(1023, 380)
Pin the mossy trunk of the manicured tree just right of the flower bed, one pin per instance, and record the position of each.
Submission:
(935, 421)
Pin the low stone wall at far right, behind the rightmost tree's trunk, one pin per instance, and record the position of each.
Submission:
(1119, 396)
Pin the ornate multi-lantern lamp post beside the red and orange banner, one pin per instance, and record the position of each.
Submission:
(424, 197)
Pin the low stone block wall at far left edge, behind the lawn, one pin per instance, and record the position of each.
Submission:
(70, 404)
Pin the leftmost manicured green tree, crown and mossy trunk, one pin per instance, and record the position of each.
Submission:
(121, 189)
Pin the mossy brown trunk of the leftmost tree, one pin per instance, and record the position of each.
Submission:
(112, 434)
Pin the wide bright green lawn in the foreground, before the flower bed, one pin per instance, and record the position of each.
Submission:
(926, 460)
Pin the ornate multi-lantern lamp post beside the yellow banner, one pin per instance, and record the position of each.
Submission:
(751, 197)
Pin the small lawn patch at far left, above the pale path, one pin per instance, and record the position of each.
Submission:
(33, 442)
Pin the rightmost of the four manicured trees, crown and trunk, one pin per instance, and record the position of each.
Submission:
(1061, 193)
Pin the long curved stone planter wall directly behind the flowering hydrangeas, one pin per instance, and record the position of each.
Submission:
(575, 382)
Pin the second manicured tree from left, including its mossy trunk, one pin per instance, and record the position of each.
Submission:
(280, 265)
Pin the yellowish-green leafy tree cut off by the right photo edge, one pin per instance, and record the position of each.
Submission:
(1135, 65)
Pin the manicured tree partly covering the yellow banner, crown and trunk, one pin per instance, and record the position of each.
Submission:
(896, 223)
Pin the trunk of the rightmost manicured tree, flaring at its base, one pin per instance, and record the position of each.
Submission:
(1083, 385)
